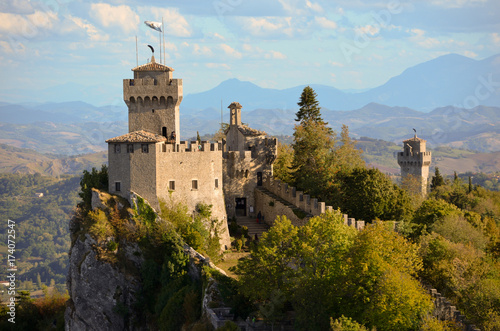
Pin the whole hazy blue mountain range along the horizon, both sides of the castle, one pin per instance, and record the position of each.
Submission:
(431, 97)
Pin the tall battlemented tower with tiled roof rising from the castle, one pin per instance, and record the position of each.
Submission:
(153, 98)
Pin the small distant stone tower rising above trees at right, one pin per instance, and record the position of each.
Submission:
(415, 160)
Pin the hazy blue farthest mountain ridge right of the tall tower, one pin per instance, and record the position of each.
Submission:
(447, 80)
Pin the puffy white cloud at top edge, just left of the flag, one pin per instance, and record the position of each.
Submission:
(115, 16)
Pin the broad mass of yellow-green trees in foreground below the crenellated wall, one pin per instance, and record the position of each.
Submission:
(368, 275)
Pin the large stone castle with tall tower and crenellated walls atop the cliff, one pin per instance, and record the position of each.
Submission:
(153, 162)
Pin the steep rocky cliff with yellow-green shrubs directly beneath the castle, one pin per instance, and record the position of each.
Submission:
(121, 261)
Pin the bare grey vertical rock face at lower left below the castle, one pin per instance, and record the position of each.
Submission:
(102, 297)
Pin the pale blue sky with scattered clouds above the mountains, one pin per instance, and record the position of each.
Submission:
(348, 44)
